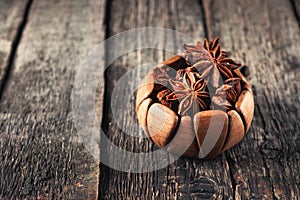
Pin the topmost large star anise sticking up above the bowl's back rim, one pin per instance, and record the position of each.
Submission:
(210, 61)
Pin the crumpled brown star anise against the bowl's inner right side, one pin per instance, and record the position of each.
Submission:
(227, 94)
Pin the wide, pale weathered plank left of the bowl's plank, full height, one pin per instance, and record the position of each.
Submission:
(41, 156)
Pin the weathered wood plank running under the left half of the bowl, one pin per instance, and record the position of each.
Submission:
(186, 178)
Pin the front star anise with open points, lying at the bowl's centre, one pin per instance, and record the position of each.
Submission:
(190, 92)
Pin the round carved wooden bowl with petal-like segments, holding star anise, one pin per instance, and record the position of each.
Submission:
(205, 134)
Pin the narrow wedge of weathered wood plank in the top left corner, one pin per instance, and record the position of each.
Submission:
(12, 16)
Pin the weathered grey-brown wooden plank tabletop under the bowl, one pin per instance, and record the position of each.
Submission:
(41, 46)
